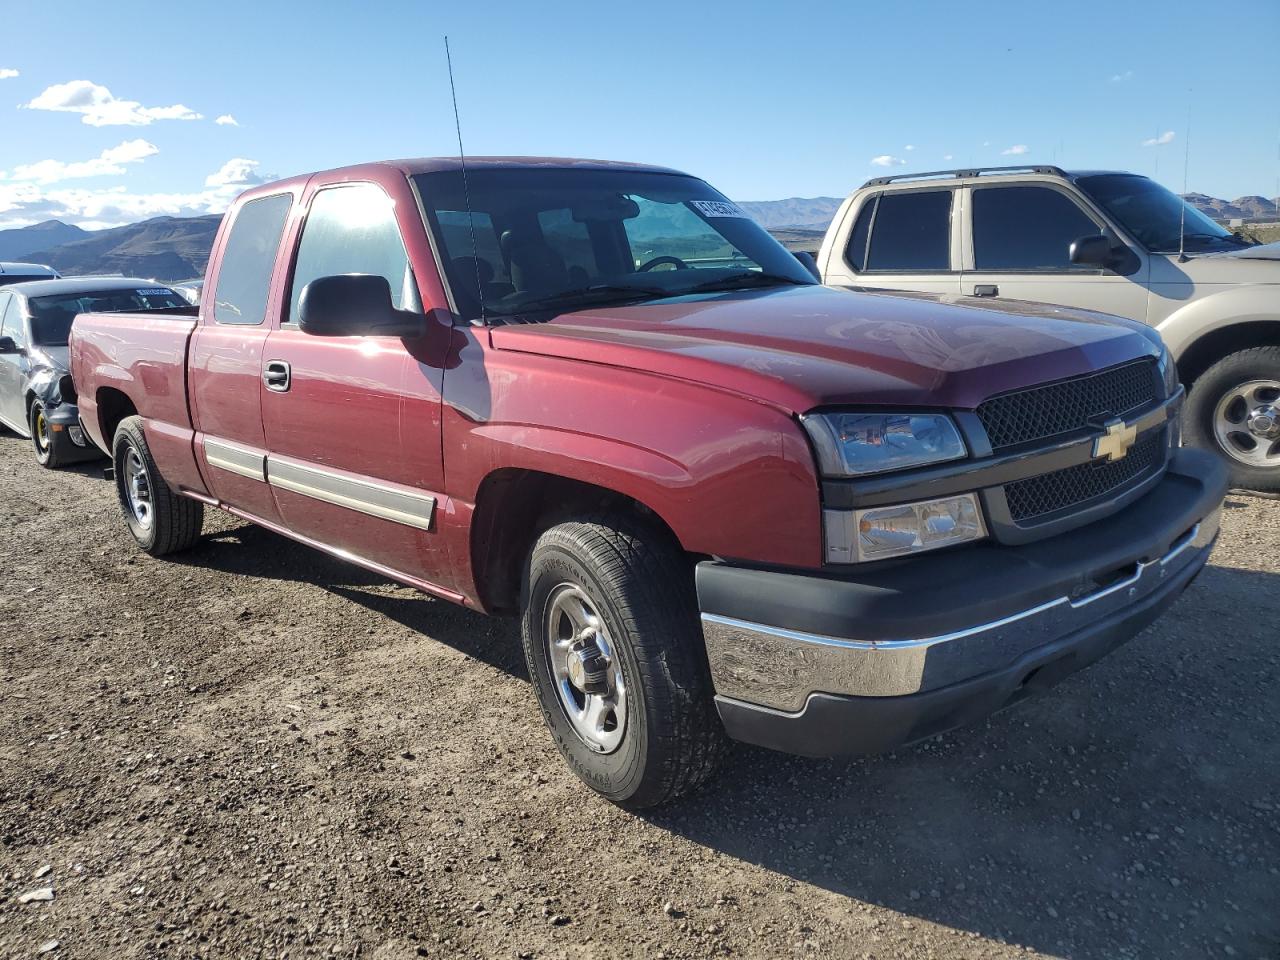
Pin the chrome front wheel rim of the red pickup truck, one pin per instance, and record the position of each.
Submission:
(586, 669)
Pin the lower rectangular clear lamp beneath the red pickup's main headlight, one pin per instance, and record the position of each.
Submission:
(860, 536)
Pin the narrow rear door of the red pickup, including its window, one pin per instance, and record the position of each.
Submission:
(226, 360)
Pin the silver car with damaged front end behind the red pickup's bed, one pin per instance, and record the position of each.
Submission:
(38, 399)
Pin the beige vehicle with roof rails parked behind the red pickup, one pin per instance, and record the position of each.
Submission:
(1114, 243)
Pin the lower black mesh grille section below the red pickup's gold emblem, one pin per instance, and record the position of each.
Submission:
(1077, 487)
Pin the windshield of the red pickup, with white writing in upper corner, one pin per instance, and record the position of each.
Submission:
(564, 239)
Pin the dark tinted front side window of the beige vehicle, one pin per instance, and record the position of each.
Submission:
(1026, 228)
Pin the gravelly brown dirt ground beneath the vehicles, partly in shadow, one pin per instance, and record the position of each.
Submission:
(255, 751)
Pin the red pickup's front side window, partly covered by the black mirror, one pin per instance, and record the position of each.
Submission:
(353, 230)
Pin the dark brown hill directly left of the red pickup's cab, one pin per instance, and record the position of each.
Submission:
(166, 249)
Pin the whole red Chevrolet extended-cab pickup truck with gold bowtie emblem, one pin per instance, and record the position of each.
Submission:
(723, 499)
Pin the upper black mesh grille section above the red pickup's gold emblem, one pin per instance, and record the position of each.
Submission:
(1043, 413)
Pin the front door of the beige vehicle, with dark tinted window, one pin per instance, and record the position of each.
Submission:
(1020, 241)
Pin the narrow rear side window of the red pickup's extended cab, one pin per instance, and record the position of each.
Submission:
(245, 273)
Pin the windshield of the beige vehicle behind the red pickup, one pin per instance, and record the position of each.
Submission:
(1154, 216)
